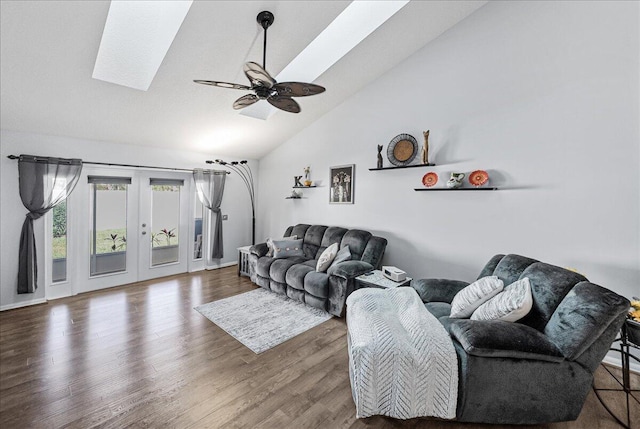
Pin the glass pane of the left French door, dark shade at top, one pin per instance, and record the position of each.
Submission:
(108, 231)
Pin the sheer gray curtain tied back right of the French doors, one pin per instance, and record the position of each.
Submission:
(210, 188)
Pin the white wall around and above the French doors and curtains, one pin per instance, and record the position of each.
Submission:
(237, 230)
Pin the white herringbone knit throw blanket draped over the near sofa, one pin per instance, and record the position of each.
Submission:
(402, 363)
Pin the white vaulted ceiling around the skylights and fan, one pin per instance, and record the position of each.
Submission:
(48, 50)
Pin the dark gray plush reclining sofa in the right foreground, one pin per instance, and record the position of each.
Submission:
(539, 369)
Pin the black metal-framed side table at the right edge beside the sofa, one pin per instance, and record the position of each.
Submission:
(625, 355)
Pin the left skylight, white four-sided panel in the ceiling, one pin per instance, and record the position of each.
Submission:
(136, 38)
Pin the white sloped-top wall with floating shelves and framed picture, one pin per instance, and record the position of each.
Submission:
(542, 95)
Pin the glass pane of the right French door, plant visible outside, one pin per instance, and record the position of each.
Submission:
(165, 221)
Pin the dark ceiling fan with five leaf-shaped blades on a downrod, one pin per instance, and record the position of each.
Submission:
(263, 85)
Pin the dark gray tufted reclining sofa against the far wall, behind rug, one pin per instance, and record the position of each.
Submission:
(296, 277)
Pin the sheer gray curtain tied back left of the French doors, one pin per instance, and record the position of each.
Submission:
(44, 182)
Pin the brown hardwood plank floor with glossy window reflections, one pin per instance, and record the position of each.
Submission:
(140, 356)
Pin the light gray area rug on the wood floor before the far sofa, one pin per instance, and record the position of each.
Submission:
(260, 319)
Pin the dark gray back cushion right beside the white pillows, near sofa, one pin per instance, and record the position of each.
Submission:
(549, 285)
